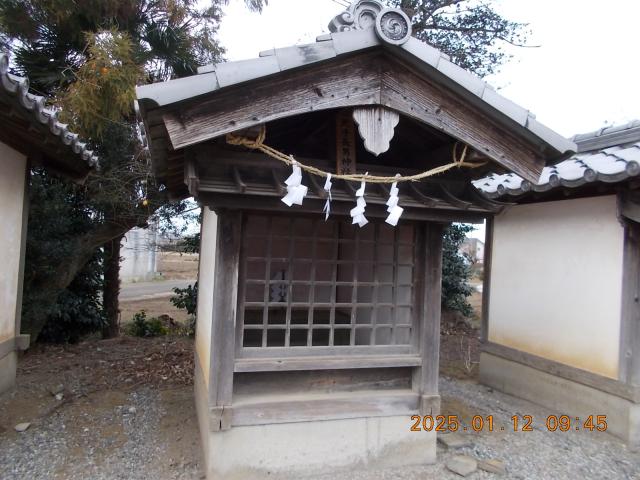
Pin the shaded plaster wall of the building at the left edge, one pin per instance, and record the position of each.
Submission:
(12, 190)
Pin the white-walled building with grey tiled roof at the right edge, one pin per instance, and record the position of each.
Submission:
(561, 320)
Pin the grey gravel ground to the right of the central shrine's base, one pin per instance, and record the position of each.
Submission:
(536, 455)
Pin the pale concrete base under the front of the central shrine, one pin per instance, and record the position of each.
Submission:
(293, 450)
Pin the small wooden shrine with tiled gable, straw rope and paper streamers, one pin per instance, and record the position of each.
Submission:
(319, 295)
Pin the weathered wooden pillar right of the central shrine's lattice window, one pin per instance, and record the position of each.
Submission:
(425, 377)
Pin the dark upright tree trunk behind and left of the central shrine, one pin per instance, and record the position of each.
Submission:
(112, 287)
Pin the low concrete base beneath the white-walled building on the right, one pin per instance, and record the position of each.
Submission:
(562, 396)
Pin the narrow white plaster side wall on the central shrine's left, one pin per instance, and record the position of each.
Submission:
(206, 280)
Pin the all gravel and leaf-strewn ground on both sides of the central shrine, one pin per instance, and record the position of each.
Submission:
(127, 412)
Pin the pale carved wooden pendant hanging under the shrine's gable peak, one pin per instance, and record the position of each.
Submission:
(376, 126)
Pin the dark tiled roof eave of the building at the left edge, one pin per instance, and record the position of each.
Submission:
(27, 123)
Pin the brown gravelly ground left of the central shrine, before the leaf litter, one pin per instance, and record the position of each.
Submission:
(118, 436)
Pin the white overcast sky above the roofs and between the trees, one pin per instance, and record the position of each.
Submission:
(582, 76)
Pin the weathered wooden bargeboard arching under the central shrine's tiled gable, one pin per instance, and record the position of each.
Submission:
(368, 79)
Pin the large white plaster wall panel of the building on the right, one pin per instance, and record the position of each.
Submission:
(556, 277)
